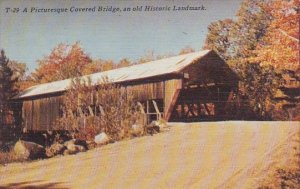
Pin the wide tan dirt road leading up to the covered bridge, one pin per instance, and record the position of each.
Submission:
(197, 155)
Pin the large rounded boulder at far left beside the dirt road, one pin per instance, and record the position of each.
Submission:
(28, 150)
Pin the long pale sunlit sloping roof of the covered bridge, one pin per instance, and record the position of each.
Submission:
(135, 72)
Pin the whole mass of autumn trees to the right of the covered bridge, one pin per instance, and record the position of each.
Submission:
(262, 46)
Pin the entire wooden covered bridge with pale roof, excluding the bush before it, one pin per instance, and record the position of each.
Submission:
(191, 87)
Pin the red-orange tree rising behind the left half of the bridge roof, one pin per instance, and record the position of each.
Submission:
(65, 61)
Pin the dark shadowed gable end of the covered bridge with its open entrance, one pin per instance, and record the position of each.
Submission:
(210, 82)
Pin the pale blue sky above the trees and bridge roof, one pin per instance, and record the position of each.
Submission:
(29, 36)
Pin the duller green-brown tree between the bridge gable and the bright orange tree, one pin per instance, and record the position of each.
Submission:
(237, 42)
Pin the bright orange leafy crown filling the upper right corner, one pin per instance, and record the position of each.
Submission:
(280, 44)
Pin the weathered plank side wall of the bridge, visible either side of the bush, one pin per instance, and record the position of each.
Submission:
(40, 114)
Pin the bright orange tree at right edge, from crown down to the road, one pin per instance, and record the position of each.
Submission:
(280, 48)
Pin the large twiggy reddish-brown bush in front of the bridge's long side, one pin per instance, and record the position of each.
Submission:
(89, 110)
